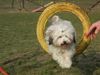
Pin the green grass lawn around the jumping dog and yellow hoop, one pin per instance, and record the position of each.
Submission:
(18, 40)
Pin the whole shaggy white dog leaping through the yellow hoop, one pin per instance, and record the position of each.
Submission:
(60, 37)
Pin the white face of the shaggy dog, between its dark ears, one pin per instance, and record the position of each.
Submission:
(63, 39)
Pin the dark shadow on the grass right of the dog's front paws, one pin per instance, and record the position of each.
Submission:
(88, 64)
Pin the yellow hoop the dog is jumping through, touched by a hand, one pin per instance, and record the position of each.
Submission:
(58, 7)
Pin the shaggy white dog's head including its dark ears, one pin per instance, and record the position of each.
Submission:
(61, 38)
